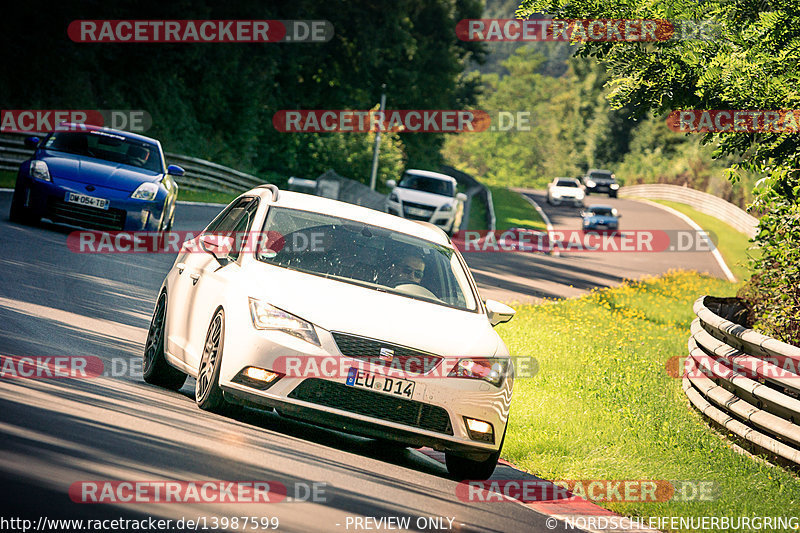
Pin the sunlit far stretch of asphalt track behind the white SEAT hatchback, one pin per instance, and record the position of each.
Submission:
(528, 277)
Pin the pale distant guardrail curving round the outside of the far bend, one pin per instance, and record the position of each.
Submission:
(701, 201)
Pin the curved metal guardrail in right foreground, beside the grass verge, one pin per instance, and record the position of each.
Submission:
(744, 381)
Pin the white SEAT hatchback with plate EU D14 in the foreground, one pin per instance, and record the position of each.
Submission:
(388, 304)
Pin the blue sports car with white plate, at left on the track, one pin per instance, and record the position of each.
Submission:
(96, 178)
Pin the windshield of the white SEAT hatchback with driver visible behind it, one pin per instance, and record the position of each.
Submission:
(366, 255)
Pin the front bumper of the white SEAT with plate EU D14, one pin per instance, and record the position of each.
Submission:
(433, 415)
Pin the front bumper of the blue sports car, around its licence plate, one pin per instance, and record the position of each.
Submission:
(47, 199)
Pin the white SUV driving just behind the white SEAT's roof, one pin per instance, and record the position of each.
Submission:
(426, 196)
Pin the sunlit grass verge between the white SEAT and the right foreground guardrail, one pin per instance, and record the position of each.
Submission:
(602, 405)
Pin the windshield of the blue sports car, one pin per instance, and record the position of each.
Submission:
(108, 147)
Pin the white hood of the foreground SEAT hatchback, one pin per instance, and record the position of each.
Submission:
(349, 308)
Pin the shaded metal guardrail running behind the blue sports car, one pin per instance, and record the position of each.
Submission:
(200, 174)
